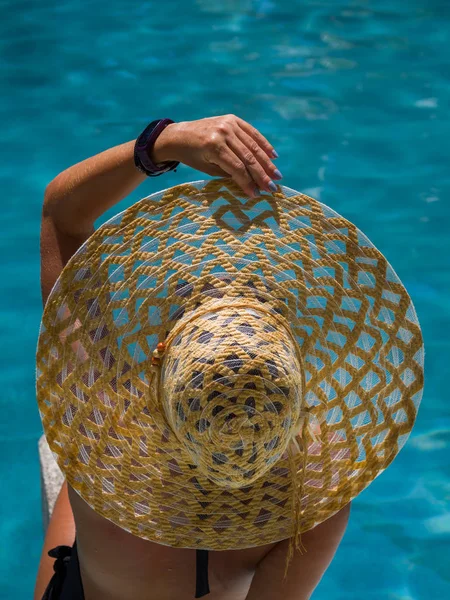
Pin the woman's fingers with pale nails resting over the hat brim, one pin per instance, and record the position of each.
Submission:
(256, 160)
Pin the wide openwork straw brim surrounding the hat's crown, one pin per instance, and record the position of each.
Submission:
(127, 286)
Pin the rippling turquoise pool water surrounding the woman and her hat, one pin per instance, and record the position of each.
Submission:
(354, 96)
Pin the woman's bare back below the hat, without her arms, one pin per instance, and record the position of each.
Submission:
(118, 565)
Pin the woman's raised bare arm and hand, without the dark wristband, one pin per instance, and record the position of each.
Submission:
(220, 146)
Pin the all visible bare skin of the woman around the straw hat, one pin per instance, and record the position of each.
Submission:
(115, 565)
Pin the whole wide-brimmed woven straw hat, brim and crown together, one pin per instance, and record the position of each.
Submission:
(287, 377)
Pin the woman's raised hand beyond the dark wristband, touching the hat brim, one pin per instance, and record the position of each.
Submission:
(224, 146)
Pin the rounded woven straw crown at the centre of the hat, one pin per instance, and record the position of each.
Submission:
(231, 389)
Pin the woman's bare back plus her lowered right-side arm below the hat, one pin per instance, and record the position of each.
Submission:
(116, 565)
